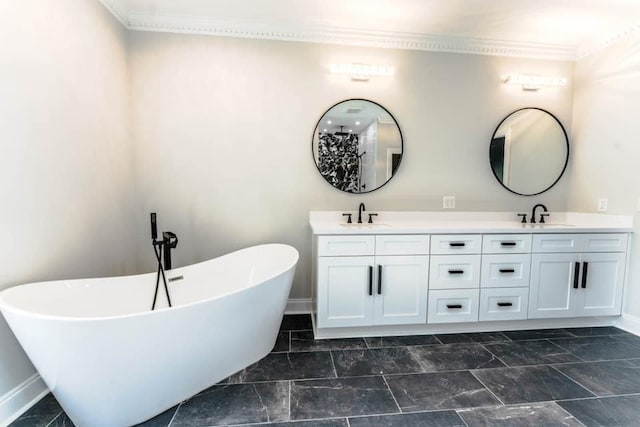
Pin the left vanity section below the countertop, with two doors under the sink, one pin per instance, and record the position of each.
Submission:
(365, 280)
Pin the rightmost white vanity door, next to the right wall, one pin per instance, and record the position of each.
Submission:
(601, 281)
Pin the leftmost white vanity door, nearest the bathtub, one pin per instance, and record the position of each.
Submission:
(345, 291)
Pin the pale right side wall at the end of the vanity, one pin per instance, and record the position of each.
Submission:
(606, 152)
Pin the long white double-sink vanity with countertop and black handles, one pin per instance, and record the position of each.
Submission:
(425, 273)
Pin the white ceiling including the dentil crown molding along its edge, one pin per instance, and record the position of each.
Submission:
(554, 29)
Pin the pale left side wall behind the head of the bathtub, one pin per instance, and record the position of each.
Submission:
(65, 179)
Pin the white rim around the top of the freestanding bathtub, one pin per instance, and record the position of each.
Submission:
(4, 305)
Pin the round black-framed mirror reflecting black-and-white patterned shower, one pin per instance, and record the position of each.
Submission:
(357, 146)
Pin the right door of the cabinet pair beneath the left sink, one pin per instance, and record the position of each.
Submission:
(400, 290)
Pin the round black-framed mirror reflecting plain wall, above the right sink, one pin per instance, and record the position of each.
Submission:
(529, 151)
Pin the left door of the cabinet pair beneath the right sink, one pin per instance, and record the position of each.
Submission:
(552, 285)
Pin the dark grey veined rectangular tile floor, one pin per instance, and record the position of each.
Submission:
(553, 377)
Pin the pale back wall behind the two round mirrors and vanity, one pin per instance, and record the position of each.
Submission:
(223, 128)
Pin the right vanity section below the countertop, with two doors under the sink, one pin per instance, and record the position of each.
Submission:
(575, 275)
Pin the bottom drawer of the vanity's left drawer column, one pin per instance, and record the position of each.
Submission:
(451, 306)
